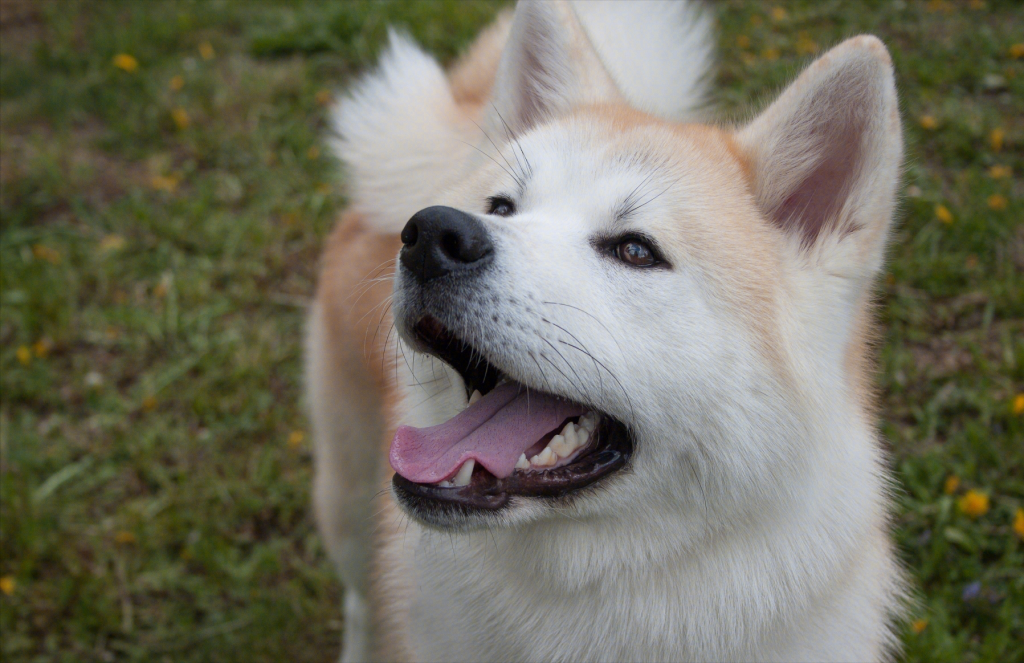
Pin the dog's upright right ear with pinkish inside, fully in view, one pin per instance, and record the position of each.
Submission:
(826, 160)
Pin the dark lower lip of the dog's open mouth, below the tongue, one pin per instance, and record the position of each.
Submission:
(486, 493)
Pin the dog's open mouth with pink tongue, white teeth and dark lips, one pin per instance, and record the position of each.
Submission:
(510, 441)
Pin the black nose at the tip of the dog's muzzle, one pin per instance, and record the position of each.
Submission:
(442, 240)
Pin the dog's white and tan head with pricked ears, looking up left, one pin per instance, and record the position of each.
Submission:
(661, 318)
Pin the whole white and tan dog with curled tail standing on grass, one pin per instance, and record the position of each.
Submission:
(590, 380)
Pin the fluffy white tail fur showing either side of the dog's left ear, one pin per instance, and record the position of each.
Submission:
(403, 137)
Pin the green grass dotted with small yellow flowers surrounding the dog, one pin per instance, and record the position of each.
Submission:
(159, 234)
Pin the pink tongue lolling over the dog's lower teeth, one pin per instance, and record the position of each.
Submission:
(495, 432)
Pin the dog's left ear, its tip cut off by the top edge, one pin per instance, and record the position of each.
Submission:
(548, 67)
